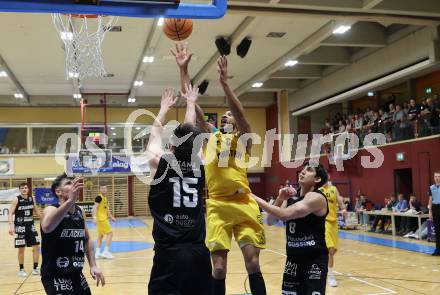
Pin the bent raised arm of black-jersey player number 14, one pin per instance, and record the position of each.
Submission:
(52, 216)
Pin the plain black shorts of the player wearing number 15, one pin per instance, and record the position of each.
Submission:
(180, 271)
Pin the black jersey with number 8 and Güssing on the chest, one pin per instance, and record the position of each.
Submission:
(306, 235)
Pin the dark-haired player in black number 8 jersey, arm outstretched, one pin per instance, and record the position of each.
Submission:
(304, 212)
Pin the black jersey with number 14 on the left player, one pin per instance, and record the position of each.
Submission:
(63, 249)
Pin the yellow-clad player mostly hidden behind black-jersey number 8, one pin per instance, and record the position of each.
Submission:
(335, 201)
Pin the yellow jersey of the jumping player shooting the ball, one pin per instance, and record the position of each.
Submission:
(225, 166)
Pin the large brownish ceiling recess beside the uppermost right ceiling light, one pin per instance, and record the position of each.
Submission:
(361, 35)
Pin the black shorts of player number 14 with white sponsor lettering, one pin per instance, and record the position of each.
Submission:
(73, 284)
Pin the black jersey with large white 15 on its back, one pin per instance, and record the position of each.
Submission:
(176, 203)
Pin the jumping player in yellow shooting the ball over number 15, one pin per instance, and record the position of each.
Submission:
(230, 207)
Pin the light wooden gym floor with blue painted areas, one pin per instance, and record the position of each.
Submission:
(362, 267)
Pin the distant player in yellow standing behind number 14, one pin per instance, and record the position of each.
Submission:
(101, 214)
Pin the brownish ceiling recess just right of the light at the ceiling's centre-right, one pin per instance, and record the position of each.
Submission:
(327, 56)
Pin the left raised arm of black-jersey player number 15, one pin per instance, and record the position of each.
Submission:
(154, 147)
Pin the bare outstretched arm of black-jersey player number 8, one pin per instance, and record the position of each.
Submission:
(312, 203)
